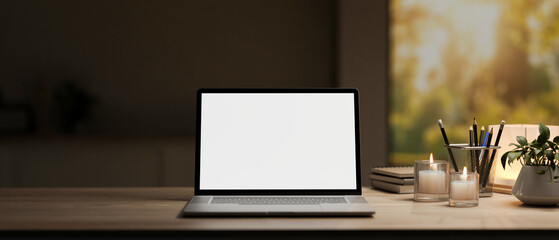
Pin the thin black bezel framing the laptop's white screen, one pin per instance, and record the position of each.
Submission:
(356, 191)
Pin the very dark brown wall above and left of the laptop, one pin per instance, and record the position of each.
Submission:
(144, 60)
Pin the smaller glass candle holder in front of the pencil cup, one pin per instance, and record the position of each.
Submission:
(464, 189)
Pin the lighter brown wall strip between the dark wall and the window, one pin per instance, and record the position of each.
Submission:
(363, 56)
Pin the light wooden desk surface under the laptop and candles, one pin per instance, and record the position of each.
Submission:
(157, 209)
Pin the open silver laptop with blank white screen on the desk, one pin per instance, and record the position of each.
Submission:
(277, 152)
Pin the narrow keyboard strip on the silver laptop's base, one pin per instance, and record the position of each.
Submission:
(277, 200)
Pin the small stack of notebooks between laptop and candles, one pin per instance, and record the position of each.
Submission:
(393, 179)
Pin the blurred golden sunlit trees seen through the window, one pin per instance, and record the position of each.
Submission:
(456, 59)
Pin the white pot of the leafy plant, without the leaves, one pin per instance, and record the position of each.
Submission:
(534, 189)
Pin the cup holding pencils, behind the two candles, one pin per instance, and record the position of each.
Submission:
(481, 160)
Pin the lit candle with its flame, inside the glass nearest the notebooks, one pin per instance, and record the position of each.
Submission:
(432, 180)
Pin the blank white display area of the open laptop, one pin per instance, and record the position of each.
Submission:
(252, 141)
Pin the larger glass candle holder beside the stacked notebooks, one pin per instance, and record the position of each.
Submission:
(431, 181)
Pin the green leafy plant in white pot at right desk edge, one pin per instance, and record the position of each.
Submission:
(538, 181)
